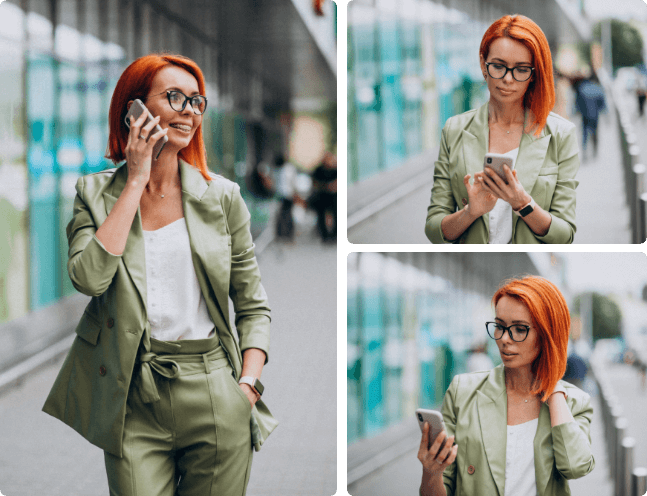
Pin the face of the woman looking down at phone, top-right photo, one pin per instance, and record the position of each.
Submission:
(510, 53)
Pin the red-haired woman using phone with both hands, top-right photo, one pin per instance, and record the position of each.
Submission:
(517, 121)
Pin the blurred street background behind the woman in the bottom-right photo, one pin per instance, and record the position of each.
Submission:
(415, 320)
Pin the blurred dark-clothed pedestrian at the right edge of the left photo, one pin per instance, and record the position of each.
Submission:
(324, 198)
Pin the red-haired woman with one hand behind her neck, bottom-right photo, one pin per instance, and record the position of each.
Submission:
(545, 439)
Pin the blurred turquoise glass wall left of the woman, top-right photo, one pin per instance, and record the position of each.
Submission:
(412, 64)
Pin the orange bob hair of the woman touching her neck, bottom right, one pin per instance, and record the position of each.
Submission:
(552, 321)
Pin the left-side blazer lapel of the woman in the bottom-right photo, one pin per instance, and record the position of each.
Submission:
(493, 414)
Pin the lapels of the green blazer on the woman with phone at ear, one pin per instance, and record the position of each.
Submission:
(208, 235)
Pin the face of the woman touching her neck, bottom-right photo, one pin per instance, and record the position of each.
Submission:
(509, 310)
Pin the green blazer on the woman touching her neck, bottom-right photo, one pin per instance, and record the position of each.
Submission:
(475, 411)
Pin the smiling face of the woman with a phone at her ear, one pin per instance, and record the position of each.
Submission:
(158, 105)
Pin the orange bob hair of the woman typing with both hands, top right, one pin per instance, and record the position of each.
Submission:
(540, 94)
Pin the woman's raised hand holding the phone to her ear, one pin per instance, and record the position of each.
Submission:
(139, 152)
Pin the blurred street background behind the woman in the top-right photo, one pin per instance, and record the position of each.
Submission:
(412, 64)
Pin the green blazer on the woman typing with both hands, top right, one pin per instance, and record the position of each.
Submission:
(546, 167)
